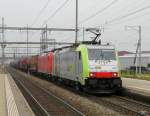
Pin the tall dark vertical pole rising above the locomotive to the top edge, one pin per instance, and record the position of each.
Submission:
(76, 29)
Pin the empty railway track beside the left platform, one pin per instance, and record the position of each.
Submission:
(43, 102)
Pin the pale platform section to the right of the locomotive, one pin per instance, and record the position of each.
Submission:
(137, 86)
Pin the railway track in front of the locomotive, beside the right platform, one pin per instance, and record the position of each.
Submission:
(119, 104)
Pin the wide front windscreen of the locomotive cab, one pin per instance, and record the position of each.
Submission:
(101, 54)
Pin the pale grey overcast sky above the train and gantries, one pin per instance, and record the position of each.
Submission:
(113, 15)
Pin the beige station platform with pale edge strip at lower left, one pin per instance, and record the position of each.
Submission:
(12, 102)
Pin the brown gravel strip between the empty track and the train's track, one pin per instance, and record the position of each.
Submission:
(88, 107)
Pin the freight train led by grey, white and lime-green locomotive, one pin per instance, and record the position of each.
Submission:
(90, 67)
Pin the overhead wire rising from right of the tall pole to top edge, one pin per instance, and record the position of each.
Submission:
(98, 12)
